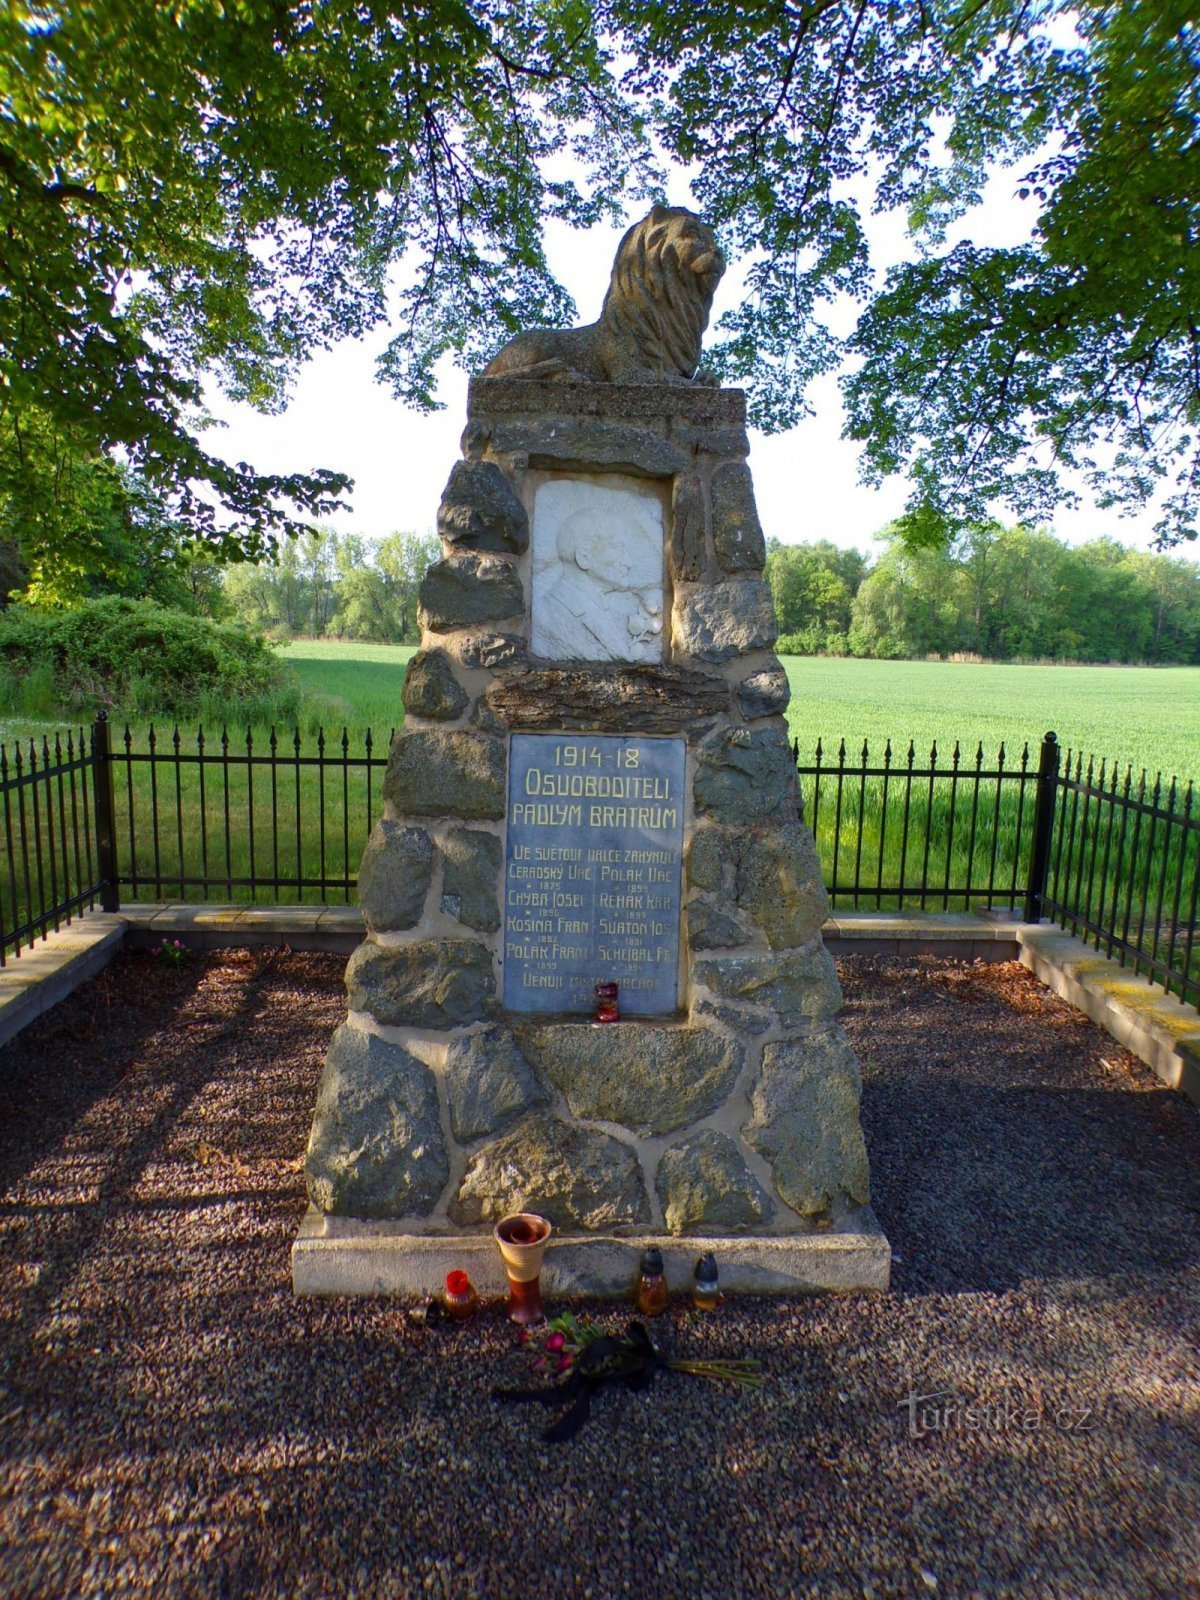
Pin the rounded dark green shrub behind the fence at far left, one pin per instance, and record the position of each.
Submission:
(140, 658)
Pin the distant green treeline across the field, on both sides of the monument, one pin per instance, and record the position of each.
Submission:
(1009, 594)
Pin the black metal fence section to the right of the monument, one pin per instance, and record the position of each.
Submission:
(1106, 852)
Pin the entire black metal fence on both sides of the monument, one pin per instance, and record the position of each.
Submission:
(1110, 855)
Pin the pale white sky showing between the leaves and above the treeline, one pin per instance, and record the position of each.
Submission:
(807, 481)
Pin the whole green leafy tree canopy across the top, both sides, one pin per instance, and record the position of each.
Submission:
(212, 190)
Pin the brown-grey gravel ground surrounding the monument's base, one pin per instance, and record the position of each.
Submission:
(174, 1423)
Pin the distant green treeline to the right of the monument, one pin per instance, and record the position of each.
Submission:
(1009, 594)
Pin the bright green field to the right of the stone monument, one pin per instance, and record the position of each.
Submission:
(972, 841)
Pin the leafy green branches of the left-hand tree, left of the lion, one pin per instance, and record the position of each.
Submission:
(214, 191)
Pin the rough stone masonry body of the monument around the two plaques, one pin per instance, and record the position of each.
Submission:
(439, 1108)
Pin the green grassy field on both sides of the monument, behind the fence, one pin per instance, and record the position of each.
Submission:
(310, 820)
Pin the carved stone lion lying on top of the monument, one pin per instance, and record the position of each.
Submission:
(654, 319)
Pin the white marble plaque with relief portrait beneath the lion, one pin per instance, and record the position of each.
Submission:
(598, 572)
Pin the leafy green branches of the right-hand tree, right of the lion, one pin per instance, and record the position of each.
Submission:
(980, 374)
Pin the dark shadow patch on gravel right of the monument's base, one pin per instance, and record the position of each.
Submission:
(983, 1188)
